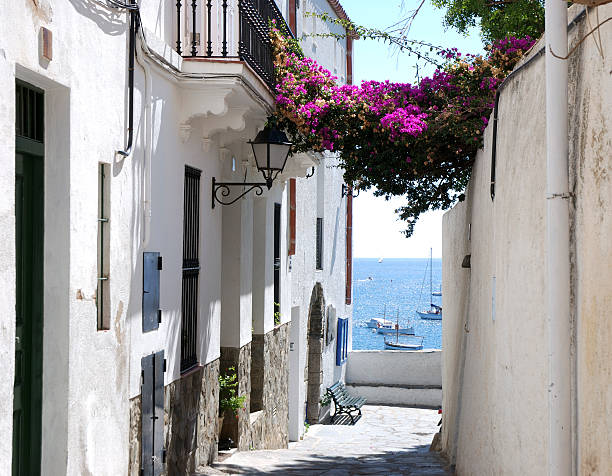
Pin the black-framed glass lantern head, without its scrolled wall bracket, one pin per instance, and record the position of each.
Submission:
(271, 149)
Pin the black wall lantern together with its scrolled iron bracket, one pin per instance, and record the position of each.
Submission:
(271, 149)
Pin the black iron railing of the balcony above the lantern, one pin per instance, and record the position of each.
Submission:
(226, 29)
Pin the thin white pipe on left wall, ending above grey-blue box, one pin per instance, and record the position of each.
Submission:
(148, 138)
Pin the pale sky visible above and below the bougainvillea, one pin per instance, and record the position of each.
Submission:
(376, 230)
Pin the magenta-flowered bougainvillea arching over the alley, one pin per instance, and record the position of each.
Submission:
(415, 140)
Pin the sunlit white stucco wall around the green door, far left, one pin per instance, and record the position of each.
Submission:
(81, 366)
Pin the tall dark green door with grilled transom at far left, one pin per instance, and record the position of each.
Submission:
(29, 206)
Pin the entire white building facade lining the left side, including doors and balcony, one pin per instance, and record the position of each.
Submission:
(127, 286)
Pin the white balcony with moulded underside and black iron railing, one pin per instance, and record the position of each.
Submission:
(223, 51)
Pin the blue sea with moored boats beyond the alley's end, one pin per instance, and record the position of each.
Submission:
(396, 284)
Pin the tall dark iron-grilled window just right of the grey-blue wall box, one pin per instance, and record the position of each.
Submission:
(191, 268)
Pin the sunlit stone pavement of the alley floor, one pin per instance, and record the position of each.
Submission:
(385, 441)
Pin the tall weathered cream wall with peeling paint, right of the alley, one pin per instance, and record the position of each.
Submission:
(495, 336)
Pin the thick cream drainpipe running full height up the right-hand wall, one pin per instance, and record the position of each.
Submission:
(558, 265)
